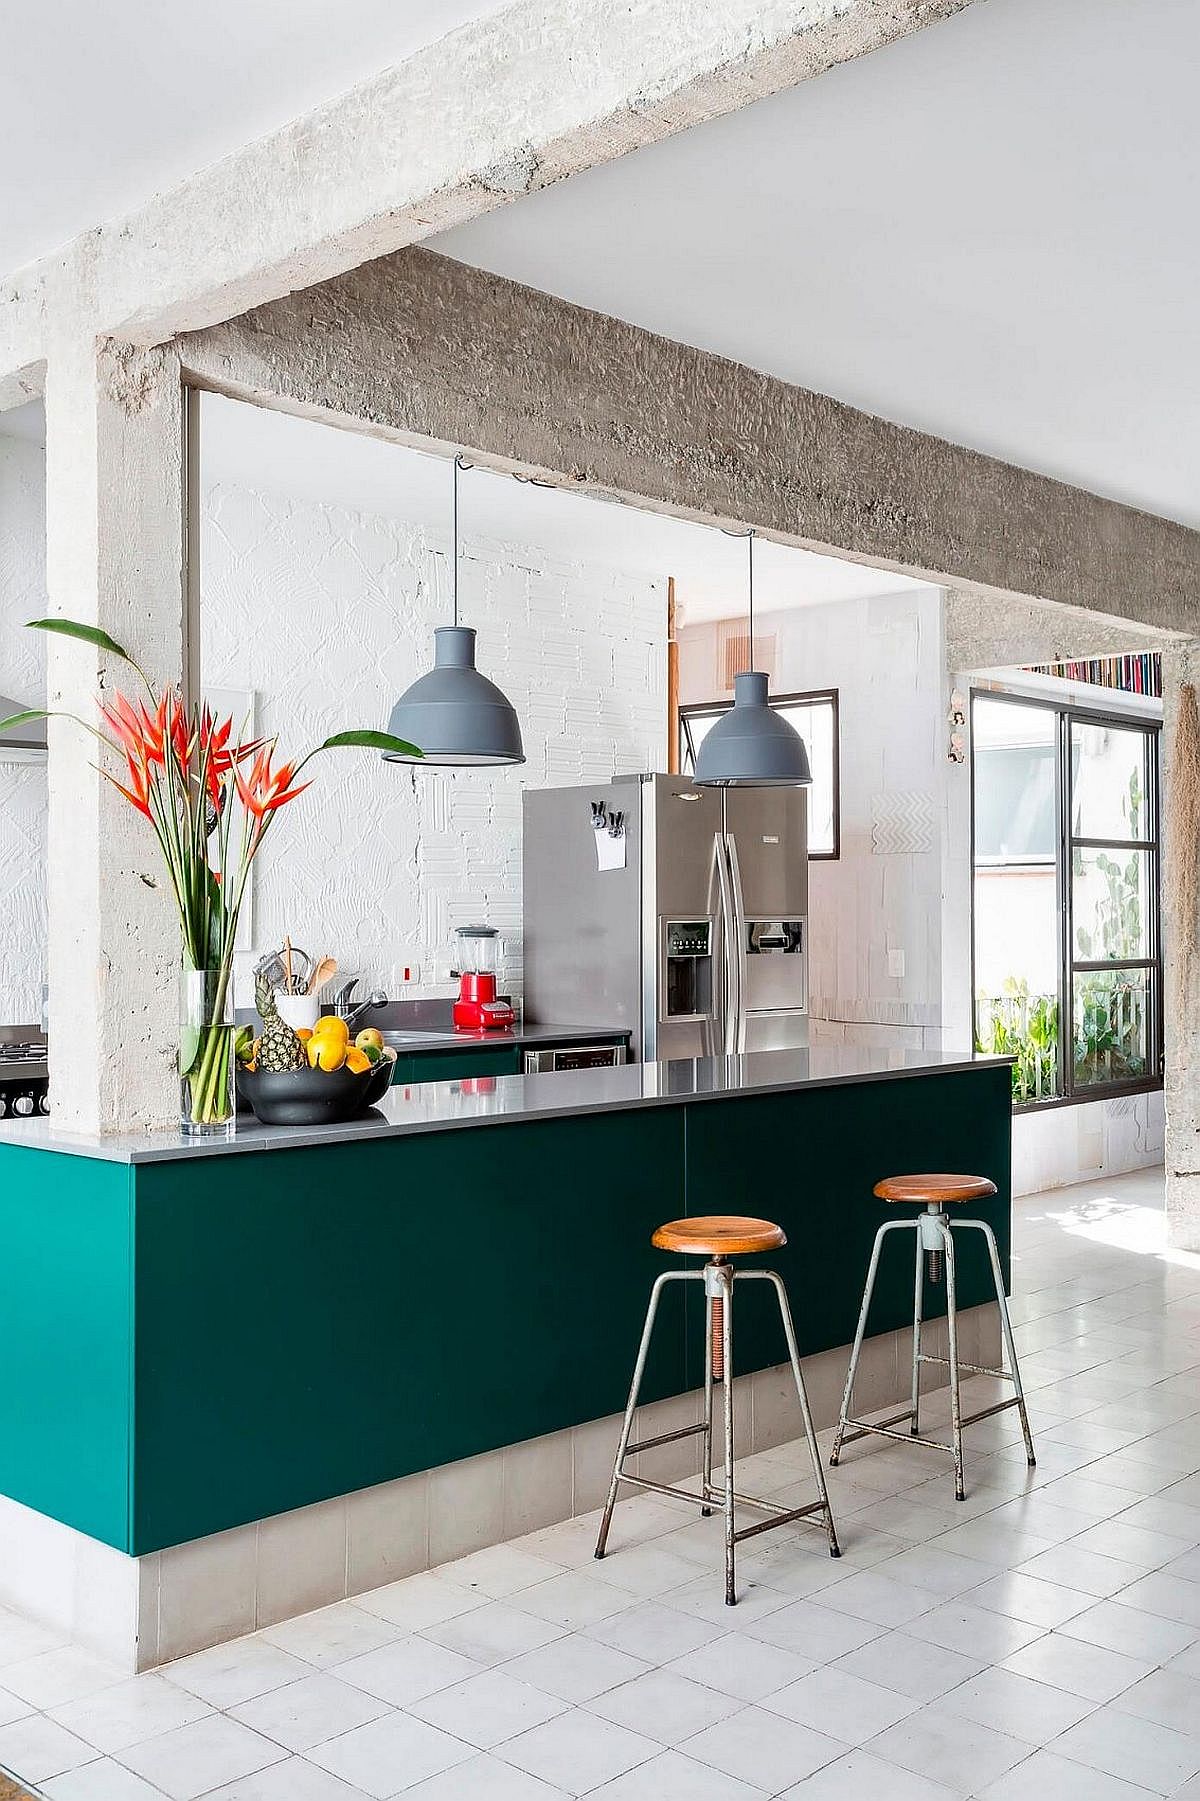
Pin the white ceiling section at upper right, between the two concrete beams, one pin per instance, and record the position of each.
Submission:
(986, 230)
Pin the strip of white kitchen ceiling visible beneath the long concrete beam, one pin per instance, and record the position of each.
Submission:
(282, 455)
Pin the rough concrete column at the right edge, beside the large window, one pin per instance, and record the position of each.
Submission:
(1181, 990)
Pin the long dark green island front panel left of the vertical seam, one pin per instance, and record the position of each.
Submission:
(313, 1323)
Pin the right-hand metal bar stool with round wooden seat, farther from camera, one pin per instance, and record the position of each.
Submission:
(934, 1242)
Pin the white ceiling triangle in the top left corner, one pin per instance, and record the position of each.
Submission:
(104, 105)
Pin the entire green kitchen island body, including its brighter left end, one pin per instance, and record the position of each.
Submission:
(210, 1341)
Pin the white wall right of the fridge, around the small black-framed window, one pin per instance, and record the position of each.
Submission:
(882, 900)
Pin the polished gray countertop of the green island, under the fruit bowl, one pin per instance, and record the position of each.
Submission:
(505, 1100)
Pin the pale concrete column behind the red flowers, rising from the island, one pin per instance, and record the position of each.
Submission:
(114, 559)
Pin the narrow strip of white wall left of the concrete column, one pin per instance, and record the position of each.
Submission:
(23, 786)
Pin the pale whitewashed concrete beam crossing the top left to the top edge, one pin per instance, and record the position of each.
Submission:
(495, 111)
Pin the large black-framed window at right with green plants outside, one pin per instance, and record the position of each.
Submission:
(1068, 964)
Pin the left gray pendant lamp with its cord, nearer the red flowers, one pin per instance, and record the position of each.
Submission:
(455, 714)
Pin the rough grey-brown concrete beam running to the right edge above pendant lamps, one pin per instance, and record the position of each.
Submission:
(419, 347)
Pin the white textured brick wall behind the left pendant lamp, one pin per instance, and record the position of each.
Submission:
(329, 615)
